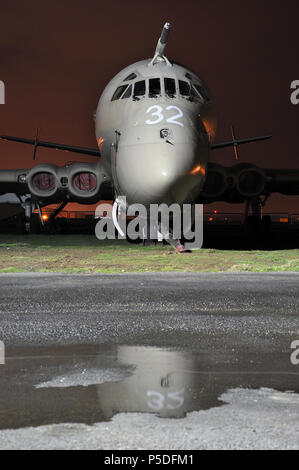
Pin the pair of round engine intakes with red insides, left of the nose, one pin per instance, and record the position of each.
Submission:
(80, 182)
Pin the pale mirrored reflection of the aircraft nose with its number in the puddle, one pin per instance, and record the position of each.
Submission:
(165, 382)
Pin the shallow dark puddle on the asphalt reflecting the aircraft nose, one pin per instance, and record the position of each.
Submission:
(92, 383)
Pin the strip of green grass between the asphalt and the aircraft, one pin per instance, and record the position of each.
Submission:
(85, 254)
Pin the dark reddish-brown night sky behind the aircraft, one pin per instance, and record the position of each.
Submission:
(56, 57)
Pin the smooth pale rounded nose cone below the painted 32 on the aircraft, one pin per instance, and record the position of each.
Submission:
(150, 169)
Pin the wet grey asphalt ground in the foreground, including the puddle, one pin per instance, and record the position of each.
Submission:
(149, 361)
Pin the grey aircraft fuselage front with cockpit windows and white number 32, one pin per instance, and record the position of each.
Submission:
(154, 125)
